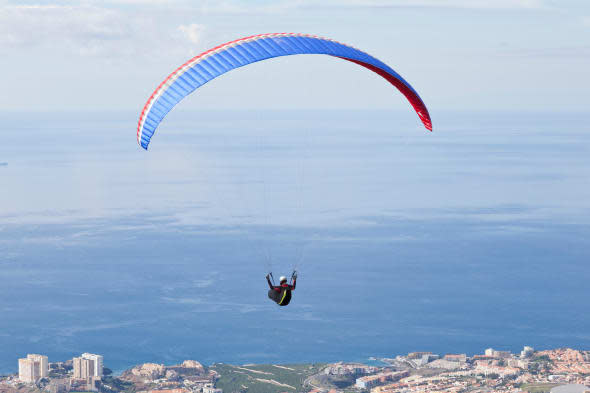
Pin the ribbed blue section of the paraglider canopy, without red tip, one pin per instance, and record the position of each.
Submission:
(243, 53)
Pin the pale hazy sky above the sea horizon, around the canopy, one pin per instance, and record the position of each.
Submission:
(459, 54)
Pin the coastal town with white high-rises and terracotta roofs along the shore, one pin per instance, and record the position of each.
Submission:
(557, 371)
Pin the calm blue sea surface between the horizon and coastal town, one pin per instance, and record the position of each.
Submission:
(476, 235)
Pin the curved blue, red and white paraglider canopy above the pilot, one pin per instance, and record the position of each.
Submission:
(226, 57)
